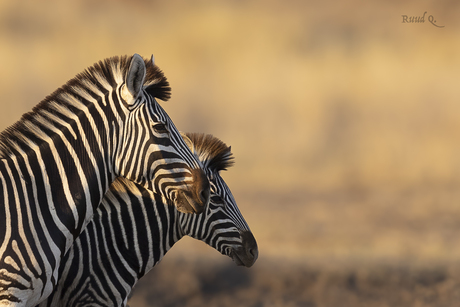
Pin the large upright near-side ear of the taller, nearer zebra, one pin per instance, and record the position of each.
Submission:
(134, 79)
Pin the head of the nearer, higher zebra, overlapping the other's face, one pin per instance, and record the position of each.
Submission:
(152, 152)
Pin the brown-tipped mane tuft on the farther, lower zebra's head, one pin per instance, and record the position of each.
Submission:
(212, 152)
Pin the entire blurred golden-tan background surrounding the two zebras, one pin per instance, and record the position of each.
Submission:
(344, 122)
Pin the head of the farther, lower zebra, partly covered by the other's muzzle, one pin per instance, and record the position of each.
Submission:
(222, 226)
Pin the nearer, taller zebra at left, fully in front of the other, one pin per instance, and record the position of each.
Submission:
(58, 161)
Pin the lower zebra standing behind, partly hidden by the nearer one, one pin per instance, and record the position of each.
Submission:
(133, 229)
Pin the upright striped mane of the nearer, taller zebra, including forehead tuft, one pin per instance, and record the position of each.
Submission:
(103, 76)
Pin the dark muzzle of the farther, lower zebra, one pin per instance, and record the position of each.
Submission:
(247, 253)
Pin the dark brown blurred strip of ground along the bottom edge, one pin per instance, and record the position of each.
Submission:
(275, 283)
